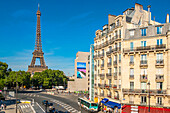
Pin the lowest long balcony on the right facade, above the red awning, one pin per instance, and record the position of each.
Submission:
(141, 91)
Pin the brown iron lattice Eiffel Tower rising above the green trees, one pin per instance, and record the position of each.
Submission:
(38, 53)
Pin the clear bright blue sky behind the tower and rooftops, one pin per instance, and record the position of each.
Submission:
(67, 26)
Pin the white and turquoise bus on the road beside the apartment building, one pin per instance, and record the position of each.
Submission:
(87, 104)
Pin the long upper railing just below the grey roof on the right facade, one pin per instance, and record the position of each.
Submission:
(153, 47)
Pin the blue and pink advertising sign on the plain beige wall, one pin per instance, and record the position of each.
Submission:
(81, 70)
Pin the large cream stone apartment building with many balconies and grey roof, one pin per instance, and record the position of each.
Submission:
(130, 52)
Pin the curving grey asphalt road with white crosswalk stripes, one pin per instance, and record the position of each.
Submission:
(62, 102)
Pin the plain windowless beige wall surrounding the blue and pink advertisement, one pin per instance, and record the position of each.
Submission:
(80, 84)
